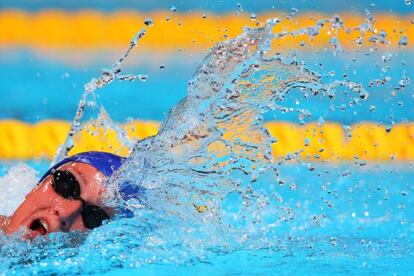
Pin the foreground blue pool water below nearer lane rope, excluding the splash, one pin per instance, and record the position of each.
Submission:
(343, 238)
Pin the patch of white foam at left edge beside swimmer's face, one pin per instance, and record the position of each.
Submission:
(19, 180)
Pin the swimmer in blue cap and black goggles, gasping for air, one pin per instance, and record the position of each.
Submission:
(68, 197)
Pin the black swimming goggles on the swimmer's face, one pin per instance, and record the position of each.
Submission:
(66, 185)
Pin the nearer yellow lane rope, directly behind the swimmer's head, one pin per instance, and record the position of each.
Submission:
(332, 142)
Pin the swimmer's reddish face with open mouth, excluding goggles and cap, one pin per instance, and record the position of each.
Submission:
(44, 211)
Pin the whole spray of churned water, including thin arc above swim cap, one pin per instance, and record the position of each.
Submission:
(211, 186)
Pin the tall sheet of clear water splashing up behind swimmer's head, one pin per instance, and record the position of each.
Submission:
(214, 146)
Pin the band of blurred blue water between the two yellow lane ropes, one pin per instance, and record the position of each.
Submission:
(42, 89)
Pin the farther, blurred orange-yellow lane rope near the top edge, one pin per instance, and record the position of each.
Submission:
(195, 31)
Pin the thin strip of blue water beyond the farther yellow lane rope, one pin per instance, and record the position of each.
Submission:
(219, 6)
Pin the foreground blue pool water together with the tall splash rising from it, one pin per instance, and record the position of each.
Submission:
(214, 196)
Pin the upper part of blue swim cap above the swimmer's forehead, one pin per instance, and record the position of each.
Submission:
(105, 162)
